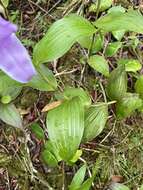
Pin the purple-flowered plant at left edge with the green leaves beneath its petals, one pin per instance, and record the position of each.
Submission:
(17, 70)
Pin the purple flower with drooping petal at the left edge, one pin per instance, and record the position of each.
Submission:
(14, 58)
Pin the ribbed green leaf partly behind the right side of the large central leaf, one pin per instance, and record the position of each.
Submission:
(95, 120)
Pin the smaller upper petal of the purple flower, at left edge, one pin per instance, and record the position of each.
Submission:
(6, 28)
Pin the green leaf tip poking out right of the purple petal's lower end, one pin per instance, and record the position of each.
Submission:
(44, 80)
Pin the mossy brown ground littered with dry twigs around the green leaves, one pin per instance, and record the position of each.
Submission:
(119, 147)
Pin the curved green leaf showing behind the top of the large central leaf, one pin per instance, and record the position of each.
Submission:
(71, 92)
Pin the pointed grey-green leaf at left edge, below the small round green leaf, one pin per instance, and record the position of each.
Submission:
(10, 115)
